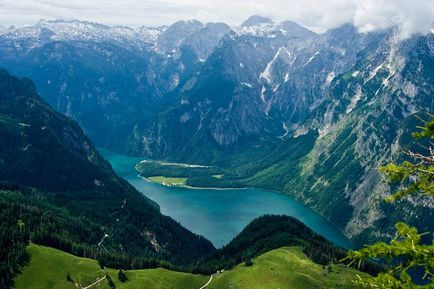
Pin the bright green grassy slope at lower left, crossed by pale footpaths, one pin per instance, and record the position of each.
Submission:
(49, 267)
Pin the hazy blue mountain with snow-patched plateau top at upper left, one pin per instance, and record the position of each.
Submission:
(79, 66)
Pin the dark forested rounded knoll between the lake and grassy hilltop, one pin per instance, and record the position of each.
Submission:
(267, 233)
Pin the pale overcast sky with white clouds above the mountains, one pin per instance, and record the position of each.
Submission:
(413, 16)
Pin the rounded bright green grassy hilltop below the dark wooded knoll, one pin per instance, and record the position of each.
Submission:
(287, 267)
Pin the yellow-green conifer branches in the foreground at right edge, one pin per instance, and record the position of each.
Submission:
(405, 254)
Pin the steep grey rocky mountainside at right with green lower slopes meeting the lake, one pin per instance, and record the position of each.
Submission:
(363, 121)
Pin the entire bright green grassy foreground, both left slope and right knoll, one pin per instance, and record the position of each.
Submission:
(280, 268)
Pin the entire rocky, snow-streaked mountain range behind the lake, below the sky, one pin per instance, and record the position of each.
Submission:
(274, 105)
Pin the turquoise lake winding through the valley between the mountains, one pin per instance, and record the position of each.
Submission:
(219, 215)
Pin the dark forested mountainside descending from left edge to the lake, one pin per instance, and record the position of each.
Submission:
(64, 194)
